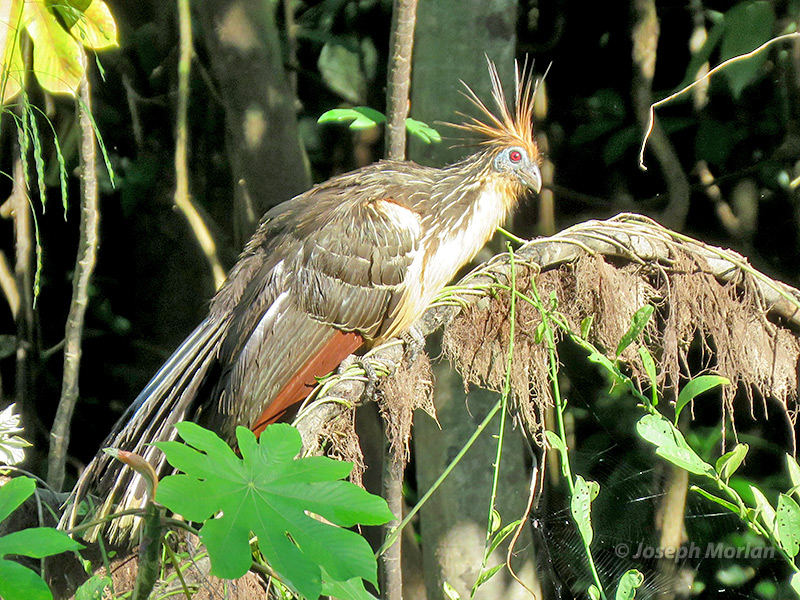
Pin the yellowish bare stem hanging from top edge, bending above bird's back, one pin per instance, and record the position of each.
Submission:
(182, 198)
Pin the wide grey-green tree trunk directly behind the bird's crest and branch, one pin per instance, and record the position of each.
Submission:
(454, 521)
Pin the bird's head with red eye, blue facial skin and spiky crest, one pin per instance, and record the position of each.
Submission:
(507, 135)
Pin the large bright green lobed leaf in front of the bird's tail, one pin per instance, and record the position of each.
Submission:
(268, 492)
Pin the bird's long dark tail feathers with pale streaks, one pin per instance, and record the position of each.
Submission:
(168, 399)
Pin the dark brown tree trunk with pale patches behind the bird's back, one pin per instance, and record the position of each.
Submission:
(269, 163)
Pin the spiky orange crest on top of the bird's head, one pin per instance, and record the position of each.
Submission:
(507, 127)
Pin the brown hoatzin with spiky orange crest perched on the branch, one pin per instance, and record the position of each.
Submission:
(351, 262)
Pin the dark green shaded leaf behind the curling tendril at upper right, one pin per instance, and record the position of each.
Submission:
(747, 26)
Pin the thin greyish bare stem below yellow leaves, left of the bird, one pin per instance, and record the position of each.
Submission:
(84, 266)
